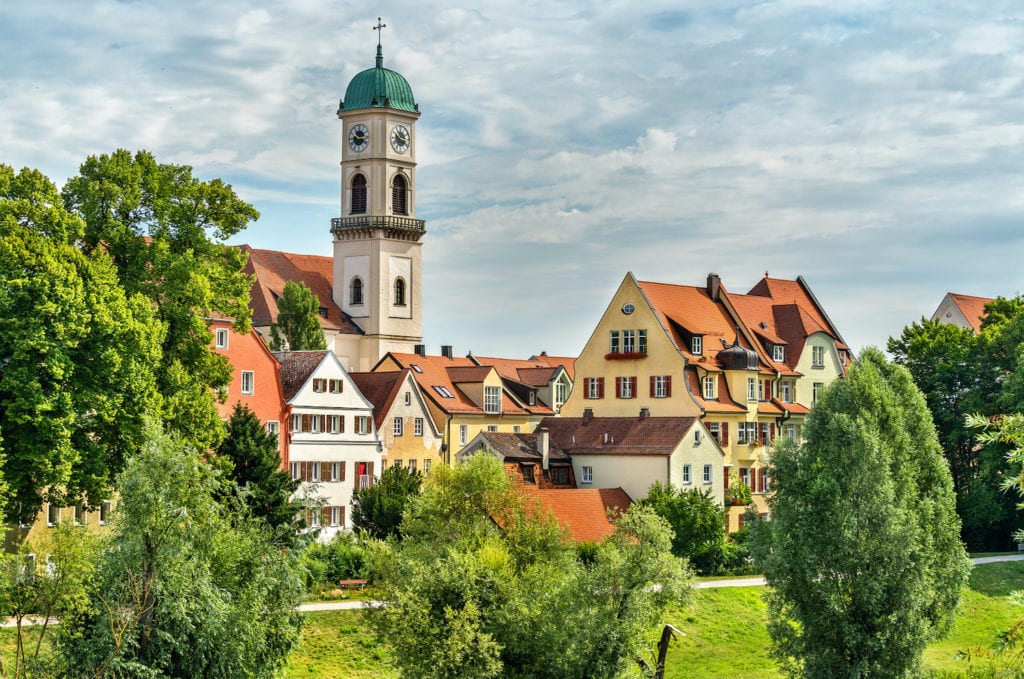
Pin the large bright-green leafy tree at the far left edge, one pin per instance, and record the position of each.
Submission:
(77, 356)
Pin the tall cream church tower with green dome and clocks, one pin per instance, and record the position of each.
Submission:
(377, 239)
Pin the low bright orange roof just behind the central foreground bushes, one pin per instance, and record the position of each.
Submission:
(584, 513)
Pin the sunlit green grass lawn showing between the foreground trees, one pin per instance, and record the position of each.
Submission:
(726, 631)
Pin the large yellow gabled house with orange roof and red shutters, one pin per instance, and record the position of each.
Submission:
(749, 366)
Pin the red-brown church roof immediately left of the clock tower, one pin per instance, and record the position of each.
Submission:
(273, 270)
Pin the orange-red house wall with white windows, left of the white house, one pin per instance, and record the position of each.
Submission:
(255, 379)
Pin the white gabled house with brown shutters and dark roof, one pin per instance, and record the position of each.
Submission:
(333, 447)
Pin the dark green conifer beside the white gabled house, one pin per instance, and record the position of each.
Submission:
(252, 464)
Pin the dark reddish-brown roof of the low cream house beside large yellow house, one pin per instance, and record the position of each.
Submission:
(625, 436)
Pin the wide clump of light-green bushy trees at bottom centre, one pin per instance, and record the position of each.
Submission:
(467, 599)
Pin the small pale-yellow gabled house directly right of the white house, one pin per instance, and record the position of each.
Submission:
(407, 431)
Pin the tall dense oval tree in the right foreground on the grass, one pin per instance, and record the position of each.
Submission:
(864, 557)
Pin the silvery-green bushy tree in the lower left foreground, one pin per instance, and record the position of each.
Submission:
(185, 588)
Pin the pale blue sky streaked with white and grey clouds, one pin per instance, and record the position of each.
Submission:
(873, 148)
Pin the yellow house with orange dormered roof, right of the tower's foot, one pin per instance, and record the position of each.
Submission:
(465, 399)
